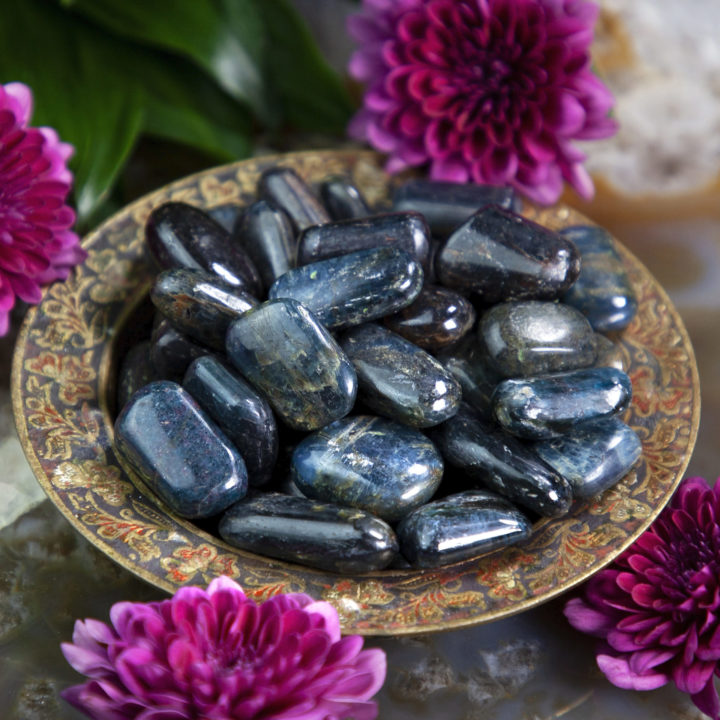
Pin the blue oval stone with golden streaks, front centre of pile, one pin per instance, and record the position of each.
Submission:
(369, 463)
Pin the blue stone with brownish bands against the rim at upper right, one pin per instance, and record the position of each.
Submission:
(602, 291)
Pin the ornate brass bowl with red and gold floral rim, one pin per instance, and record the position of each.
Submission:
(63, 395)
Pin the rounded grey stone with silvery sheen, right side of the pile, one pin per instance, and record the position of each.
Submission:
(535, 338)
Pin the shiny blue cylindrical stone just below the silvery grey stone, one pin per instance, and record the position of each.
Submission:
(551, 405)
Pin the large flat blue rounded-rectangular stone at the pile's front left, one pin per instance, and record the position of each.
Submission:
(178, 452)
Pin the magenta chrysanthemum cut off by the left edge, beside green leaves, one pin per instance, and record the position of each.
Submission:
(37, 245)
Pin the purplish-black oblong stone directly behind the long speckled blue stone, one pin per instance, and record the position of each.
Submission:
(407, 231)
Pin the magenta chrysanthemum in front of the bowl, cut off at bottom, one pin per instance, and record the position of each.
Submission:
(217, 655)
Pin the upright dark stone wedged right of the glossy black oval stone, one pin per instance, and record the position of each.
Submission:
(268, 237)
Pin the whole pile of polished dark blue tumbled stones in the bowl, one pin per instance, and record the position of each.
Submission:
(448, 333)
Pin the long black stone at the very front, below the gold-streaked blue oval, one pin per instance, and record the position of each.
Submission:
(321, 535)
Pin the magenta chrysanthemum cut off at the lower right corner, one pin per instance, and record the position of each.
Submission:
(658, 608)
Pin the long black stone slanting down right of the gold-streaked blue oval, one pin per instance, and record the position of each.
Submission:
(502, 463)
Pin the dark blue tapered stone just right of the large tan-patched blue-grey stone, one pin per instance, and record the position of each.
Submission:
(398, 379)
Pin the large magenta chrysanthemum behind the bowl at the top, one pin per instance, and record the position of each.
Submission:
(488, 91)
